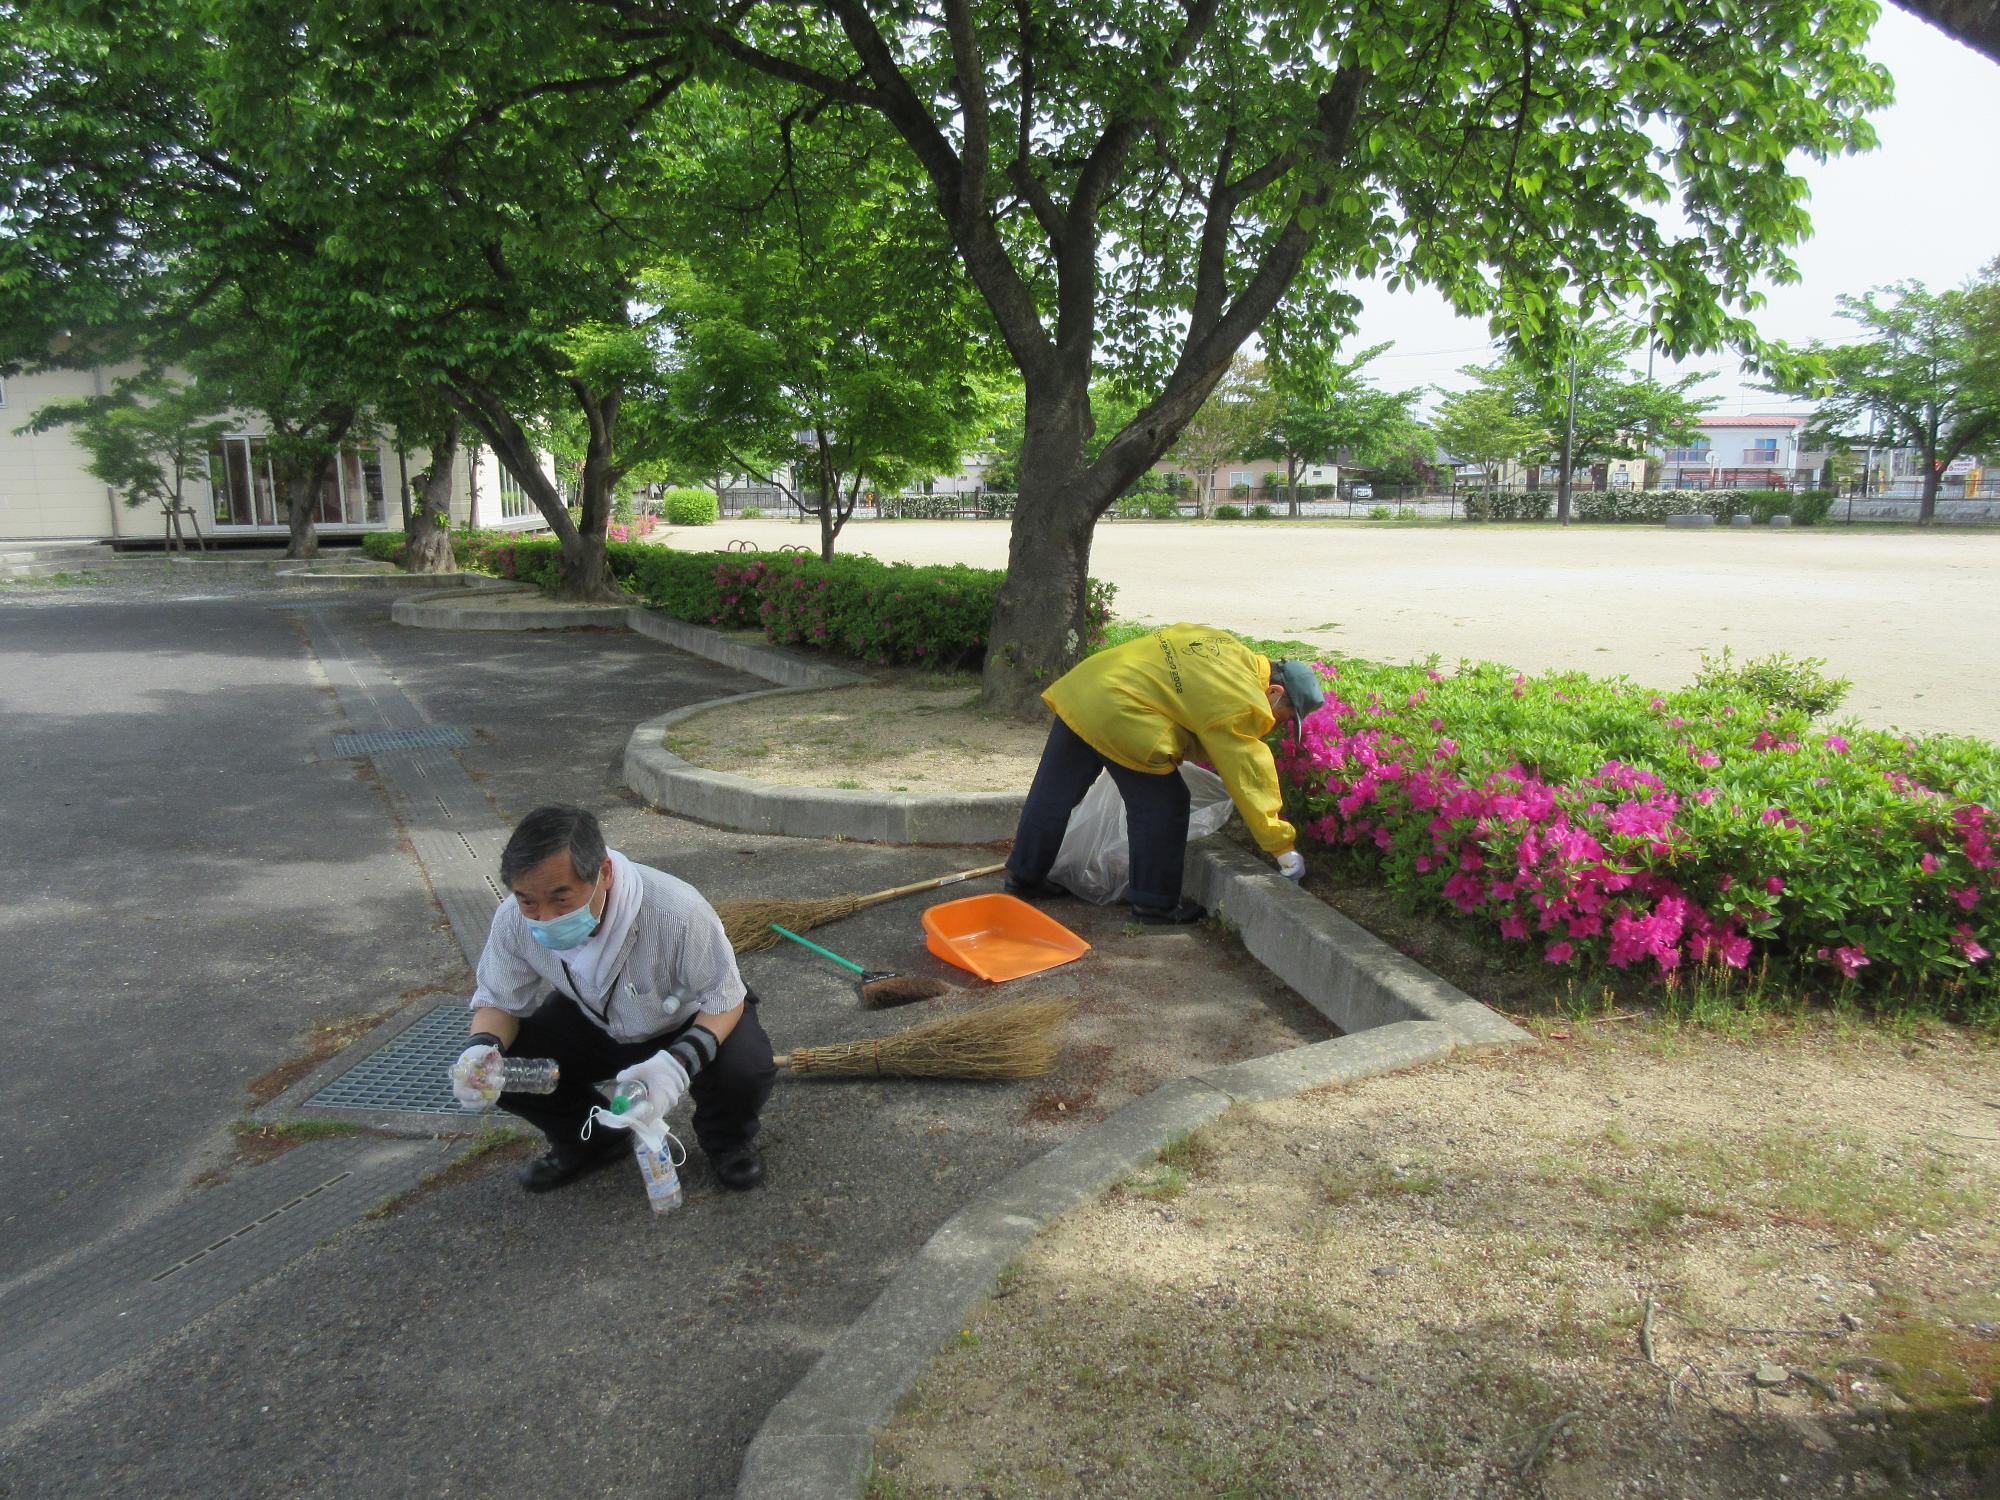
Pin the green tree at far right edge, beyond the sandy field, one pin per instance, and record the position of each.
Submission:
(1921, 375)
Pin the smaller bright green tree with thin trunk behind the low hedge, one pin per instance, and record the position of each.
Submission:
(819, 335)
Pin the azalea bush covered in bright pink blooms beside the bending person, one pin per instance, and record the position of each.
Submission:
(1601, 825)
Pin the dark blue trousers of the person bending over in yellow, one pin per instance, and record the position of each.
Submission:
(1157, 819)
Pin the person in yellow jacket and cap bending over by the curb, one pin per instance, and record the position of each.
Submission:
(1137, 711)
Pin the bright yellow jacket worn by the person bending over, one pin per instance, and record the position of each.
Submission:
(1153, 701)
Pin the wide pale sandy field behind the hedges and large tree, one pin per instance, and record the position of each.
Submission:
(1913, 617)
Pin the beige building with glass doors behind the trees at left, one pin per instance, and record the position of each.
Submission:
(47, 493)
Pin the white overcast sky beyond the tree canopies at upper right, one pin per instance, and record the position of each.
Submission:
(1923, 205)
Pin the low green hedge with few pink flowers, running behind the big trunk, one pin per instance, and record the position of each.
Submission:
(889, 613)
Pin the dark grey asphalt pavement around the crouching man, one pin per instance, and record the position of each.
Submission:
(471, 1339)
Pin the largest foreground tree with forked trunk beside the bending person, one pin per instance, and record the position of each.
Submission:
(1141, 187)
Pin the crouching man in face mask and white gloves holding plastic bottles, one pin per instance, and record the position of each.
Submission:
(615, 971)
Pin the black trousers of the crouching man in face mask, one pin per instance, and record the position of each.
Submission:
(727, 1095)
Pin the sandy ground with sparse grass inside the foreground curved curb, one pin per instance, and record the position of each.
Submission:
(1439, 1285)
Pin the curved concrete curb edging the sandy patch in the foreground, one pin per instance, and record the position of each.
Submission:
(819, 1441)
